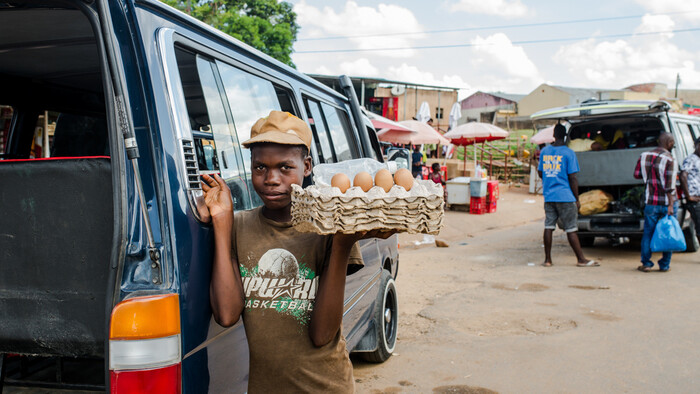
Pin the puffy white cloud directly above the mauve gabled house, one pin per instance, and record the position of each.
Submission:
(497, 53)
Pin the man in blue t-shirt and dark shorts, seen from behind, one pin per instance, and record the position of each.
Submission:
(557, 168)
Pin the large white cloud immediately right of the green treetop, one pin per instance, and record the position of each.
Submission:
(358, 22)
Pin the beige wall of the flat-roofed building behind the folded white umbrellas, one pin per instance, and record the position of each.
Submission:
(410, 101)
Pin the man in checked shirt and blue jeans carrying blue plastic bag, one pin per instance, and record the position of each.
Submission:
(658, 170)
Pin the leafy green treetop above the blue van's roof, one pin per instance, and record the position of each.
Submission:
(266, 25)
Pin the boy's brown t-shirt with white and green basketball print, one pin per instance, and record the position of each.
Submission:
(280, 268)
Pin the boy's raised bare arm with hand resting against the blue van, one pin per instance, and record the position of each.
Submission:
(226, 289)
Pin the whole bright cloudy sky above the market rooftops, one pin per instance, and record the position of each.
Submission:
(503, 45)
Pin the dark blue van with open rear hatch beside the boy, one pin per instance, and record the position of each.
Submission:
(109, 113)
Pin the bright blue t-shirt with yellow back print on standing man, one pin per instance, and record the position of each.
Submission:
(556, 163)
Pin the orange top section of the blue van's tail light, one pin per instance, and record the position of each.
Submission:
(146, 317)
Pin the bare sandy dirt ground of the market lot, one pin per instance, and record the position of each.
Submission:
(483, 315)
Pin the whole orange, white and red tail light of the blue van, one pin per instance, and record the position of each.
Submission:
(144, 345)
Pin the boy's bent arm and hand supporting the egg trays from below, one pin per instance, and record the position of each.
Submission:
(327, 315)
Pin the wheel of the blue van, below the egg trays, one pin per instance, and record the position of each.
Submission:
(386, 319)
